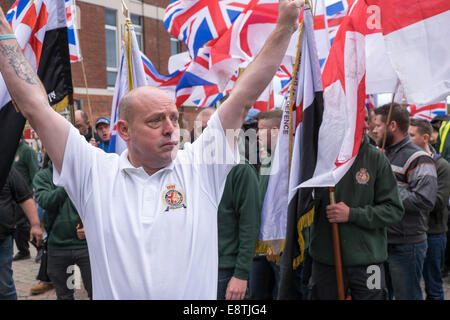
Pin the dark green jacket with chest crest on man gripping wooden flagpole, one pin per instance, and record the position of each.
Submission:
(370, 190)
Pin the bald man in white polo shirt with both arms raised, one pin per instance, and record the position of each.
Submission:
(149, 214)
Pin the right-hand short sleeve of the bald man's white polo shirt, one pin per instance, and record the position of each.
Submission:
(212, 158)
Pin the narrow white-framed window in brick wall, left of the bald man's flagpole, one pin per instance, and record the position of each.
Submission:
(111, 47)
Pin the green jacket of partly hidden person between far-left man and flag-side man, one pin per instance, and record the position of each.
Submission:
(26, 162)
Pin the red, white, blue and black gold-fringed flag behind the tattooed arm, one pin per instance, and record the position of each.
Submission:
(41, 30)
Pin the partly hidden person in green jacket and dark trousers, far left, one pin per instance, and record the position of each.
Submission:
(26, 163)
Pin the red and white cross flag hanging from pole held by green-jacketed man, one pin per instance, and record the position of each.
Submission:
(344, 96)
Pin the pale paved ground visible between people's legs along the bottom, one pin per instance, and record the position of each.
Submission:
(25, 272)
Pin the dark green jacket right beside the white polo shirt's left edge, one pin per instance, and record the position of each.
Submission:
(55, 201)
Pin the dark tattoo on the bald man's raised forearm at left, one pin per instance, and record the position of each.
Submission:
(20, 66)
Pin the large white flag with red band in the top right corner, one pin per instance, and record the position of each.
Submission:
(416, 38)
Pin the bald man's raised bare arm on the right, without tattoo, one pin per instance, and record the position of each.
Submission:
(261, 71)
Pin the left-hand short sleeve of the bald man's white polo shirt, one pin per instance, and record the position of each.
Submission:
(75, 175)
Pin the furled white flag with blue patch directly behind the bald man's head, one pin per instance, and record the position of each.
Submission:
(117, 145)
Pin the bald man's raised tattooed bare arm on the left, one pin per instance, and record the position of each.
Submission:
(30, 96)
